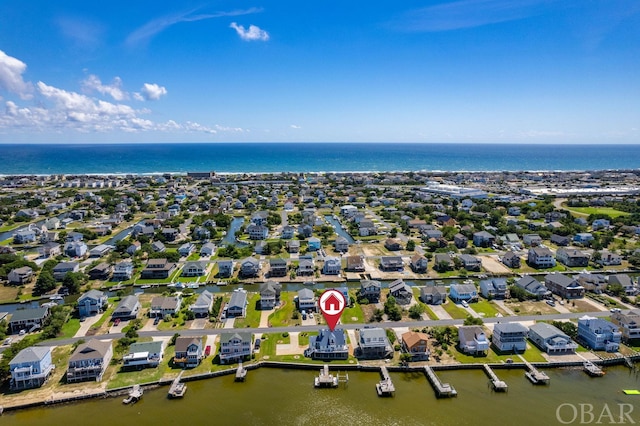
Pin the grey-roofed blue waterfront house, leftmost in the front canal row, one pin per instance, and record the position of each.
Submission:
(31, 367)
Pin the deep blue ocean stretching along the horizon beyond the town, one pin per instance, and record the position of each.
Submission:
(147, 158)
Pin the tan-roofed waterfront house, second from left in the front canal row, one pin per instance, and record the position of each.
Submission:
(89, 361)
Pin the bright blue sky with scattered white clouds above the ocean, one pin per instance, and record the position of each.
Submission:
(524, 71)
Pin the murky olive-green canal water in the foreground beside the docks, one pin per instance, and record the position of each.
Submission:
(287, 397)
